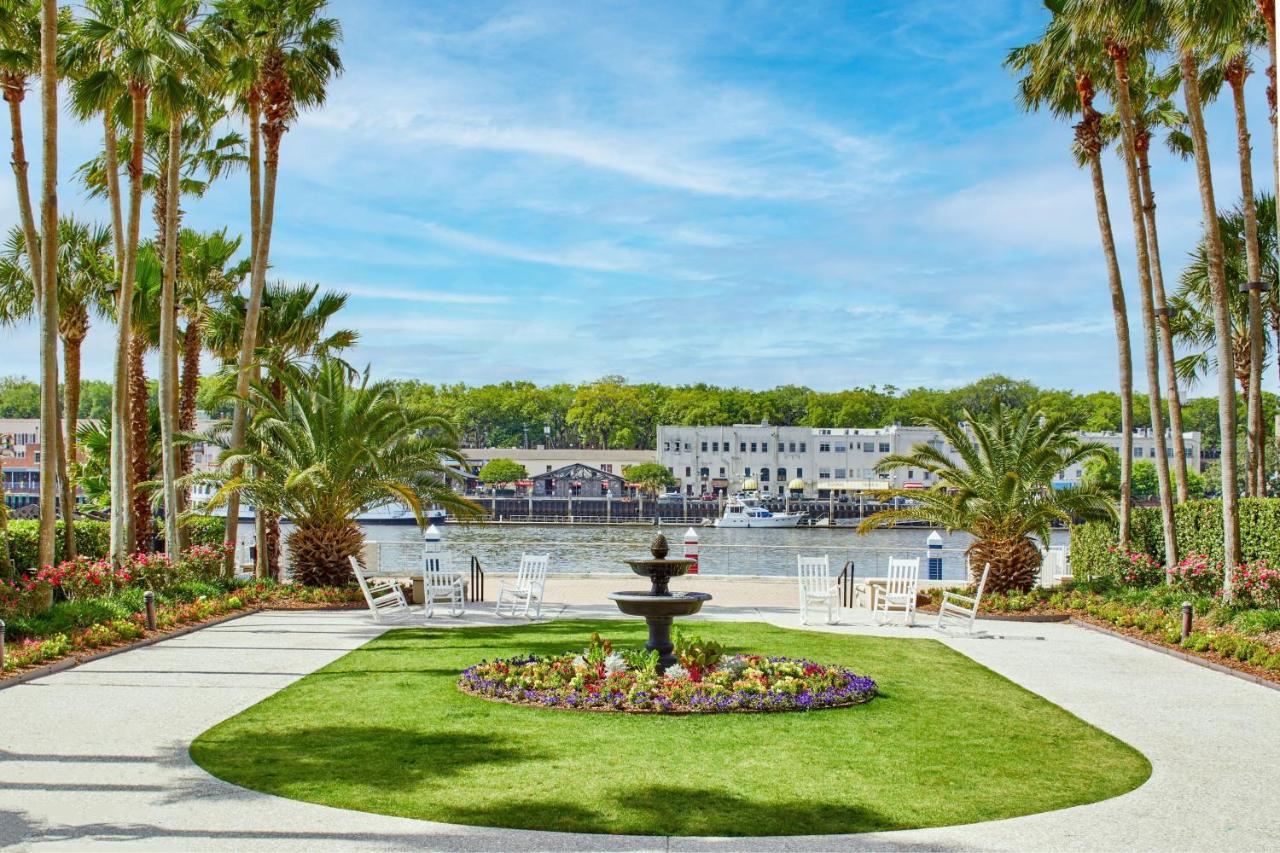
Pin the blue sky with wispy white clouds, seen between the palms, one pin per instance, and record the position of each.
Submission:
(829, 194)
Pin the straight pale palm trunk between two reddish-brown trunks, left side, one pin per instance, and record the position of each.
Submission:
(170, 346)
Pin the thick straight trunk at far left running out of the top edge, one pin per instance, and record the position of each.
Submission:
(48, 281)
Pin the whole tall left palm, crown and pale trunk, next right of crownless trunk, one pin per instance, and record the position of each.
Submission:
(130, 42)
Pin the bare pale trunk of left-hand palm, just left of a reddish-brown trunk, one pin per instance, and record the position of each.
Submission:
(122, 391)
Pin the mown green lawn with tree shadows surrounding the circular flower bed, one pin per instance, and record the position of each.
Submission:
(948, 742)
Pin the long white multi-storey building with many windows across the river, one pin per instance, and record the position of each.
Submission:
(821, 462)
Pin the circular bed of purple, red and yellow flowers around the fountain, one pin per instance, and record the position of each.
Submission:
(600, 679)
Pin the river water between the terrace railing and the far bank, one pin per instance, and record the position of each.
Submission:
(742, 553)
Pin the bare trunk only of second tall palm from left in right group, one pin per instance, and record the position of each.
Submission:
(1121, 58)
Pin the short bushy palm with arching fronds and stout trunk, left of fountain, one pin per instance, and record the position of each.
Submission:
(327, 451)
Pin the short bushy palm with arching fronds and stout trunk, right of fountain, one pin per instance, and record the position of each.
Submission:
(1002, 491)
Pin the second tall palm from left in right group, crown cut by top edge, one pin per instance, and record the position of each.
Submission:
(1126, 30)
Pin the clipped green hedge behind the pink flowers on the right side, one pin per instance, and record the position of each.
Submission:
(1199, 526)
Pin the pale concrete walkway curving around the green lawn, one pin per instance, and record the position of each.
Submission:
(98, 755)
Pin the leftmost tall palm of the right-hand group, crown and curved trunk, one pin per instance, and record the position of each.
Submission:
(1058, 74)
